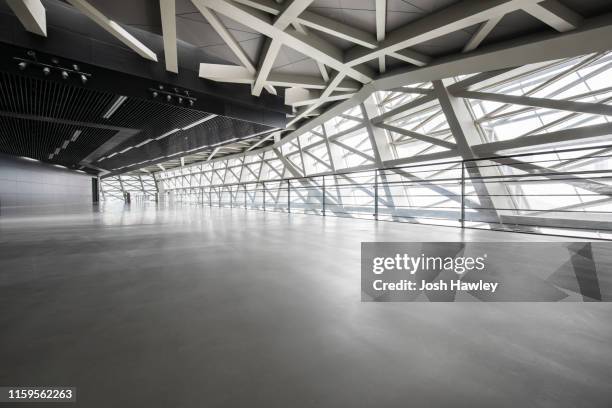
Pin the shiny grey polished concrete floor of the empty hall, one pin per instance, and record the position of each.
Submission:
(207, 307)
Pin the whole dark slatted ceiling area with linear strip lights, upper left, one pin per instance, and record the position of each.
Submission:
(44, 103)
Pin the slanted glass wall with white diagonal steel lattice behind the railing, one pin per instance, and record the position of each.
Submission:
(431, 150)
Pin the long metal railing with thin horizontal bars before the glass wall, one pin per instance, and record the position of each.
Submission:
(564, 192)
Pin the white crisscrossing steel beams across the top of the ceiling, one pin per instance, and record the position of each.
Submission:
(347, 71)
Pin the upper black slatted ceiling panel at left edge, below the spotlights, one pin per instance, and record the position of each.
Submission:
(34, 96)
